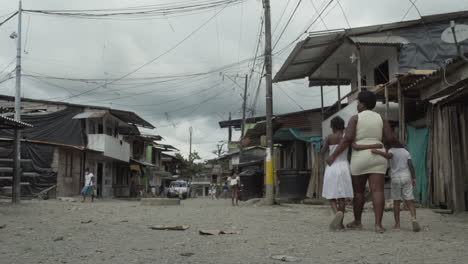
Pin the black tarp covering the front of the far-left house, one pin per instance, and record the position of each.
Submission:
(59, 128)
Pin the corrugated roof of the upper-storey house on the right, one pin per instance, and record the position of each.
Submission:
(309, 54)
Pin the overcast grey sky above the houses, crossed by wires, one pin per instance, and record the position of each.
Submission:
(178, 71)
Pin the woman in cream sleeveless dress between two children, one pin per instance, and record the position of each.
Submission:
(366, 128)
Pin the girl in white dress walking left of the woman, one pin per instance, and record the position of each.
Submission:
(337, 184)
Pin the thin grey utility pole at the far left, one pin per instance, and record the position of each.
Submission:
(16, 183)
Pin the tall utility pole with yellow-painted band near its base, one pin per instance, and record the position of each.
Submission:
(269, 173)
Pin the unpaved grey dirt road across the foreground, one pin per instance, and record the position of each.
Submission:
(117, 231)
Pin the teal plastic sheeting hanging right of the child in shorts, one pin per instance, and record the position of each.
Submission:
(417, 146)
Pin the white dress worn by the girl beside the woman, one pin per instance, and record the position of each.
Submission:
(337, 179)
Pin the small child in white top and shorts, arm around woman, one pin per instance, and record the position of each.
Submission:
(403, 180)
